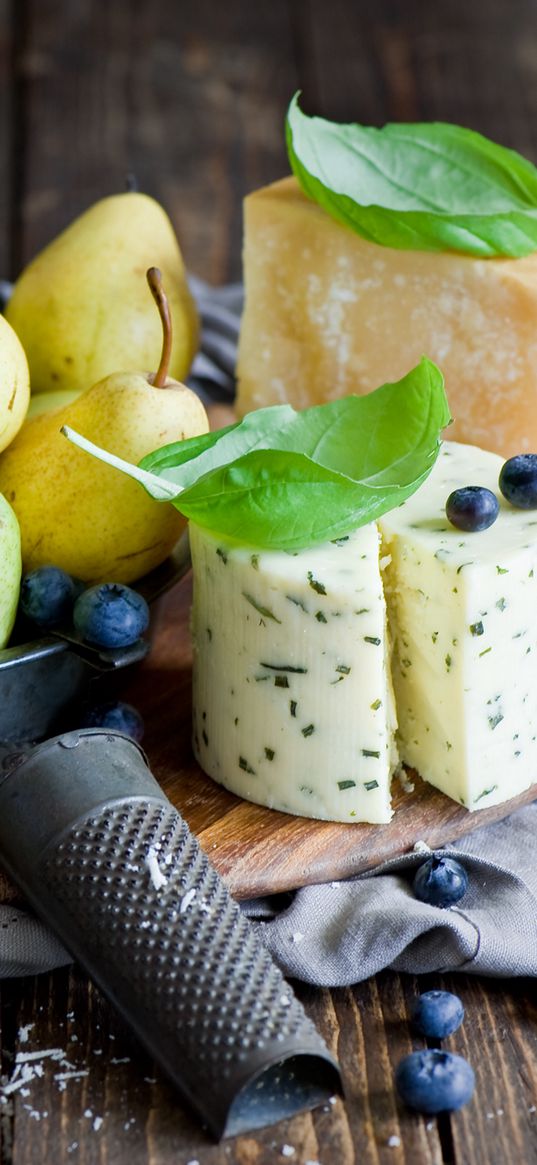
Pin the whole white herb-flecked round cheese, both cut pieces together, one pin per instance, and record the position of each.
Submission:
(293, 694)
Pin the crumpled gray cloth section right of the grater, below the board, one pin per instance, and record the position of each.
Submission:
(344, 933)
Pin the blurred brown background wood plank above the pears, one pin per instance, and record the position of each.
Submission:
(189, 97)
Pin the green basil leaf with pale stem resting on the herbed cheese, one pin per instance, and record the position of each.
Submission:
(285, 481)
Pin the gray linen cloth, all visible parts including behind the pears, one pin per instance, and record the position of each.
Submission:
(344, 933)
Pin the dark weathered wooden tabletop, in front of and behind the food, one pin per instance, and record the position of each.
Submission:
(192, 97)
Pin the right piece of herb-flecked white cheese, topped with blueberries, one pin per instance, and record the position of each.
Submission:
(463, 609)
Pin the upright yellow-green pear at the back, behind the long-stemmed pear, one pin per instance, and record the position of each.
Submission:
(81, 309)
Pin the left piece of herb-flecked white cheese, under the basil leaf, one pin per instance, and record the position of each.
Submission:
(292, 688)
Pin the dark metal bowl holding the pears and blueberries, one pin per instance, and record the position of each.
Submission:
(44, 682)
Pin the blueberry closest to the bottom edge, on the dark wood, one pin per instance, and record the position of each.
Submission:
(435, 1082)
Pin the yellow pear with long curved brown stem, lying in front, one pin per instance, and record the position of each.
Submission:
(80, 514)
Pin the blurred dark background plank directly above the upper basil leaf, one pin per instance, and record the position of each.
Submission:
(397, 62)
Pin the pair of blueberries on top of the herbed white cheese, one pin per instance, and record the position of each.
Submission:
(474, 509)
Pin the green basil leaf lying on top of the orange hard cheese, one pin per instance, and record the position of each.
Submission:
(423, 187)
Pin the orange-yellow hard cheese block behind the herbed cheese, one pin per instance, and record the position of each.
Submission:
(329, 314)
